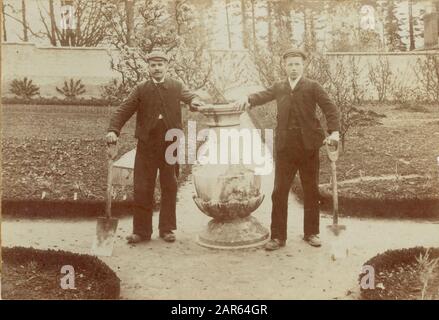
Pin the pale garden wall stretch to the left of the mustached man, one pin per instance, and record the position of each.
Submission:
(49, 67)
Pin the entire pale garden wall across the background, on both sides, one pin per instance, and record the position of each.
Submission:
(48, 67)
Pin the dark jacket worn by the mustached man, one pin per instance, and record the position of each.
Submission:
(145, 100)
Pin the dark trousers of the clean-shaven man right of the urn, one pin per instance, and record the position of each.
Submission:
(292, 158)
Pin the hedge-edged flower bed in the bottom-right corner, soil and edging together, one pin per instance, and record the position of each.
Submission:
(398, 276)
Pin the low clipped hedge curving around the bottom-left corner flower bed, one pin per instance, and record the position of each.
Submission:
(110, 283)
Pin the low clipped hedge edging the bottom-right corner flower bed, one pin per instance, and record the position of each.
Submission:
(390, 260)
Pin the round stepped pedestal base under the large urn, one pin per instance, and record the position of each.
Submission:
(238, 233)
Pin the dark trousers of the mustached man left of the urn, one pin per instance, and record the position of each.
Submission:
(150, 158)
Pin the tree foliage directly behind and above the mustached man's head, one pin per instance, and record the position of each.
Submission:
(167, 26)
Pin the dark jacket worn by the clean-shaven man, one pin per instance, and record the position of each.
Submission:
(305, 96)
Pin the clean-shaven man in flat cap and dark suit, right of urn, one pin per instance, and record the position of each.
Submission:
(299, 136)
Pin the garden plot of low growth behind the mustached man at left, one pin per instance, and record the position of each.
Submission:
(57, 151)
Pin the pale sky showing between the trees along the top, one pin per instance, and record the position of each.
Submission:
(331, 25)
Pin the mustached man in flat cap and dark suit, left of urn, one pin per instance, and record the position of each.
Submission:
(156, 103)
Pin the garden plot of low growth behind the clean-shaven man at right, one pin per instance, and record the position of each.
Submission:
(406, 143)
